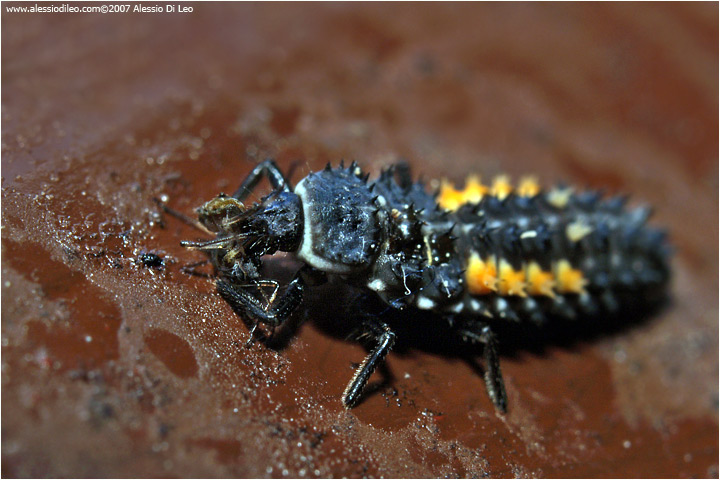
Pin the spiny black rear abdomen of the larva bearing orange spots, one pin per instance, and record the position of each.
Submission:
(530, 253)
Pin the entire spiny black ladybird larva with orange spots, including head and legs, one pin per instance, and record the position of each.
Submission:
(477, 256)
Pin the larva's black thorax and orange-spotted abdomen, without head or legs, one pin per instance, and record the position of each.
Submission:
(491, 251)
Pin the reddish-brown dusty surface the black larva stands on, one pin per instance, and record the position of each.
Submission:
(113, 369)
